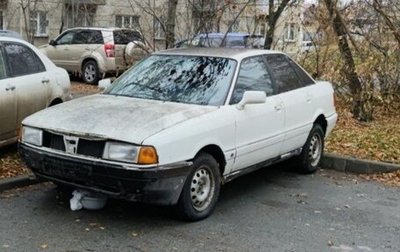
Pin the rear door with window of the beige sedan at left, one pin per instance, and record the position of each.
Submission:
(29, 77)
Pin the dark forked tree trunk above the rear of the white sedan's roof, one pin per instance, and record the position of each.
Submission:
(272, 19)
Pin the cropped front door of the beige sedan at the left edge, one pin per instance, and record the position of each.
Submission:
(8, 103)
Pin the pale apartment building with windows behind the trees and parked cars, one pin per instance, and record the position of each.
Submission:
(39, 21)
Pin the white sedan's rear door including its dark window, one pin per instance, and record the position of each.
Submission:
(295, 91)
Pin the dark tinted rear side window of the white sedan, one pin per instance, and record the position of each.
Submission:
(285, 76)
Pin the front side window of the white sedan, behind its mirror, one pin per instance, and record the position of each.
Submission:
(253, 76)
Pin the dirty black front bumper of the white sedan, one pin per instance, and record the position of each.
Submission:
(160, 185)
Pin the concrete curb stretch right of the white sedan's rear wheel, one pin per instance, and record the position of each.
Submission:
(353, 165)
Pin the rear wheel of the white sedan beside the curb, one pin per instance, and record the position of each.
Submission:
(312, 151)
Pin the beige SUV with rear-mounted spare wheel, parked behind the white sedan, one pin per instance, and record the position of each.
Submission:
(93, 52)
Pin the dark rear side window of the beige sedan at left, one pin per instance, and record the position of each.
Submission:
(22, 60)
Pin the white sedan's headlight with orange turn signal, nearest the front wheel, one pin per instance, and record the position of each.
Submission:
(130, 153)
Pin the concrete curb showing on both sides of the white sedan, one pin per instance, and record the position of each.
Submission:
(329, 161)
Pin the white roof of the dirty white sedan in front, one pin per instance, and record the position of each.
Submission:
(233, 53)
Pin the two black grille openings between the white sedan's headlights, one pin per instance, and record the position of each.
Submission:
(93, 148)
